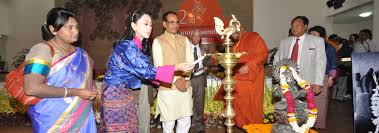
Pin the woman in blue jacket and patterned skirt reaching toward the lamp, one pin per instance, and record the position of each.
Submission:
(127, 67)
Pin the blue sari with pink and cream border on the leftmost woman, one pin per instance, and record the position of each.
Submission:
(70, 114)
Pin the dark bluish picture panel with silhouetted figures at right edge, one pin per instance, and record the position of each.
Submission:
(365, 72)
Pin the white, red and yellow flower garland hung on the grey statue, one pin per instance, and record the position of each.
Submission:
(312, 110)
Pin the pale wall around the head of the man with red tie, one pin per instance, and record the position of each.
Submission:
(272, 18)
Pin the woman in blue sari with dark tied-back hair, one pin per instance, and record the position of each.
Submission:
(61, 74)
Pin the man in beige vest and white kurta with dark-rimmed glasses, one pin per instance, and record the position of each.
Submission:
(171, 48)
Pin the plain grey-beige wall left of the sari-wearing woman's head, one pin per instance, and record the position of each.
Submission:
(25, 20)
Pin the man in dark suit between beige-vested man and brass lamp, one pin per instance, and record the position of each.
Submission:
(198, 82)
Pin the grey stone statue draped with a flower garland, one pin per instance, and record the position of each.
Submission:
(295, 109)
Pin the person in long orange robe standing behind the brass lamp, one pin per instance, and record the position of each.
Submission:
(249, 76)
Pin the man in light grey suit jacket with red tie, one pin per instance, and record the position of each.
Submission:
(306, 50)
